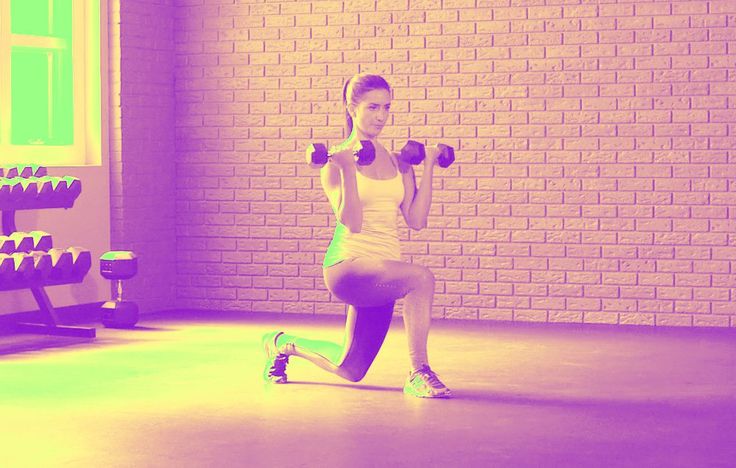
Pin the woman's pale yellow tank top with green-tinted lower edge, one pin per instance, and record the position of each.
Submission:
(378, 236)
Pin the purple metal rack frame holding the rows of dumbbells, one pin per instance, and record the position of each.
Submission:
(49, 315)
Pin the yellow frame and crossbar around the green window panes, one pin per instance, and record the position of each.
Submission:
(88, 33)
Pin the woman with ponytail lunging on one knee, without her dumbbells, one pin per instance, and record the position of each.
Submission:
(363, 266)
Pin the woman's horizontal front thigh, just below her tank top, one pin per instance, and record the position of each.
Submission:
(373, 282)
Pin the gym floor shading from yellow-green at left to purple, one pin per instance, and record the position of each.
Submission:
(186, 392)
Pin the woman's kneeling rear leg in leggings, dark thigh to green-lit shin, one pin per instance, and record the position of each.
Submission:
(365, 330)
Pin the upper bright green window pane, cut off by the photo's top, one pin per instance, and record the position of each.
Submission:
(41, 17)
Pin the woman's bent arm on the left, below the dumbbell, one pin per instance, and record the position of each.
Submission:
(339, 183)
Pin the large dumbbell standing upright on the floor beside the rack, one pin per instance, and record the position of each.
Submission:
(118, 266)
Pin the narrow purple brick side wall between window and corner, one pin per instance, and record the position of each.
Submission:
(142, 188)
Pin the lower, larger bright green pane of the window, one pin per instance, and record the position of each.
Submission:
(41, 97)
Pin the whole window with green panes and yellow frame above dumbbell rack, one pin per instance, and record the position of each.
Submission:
(50, 82)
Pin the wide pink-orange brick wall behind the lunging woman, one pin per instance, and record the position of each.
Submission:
(595, 178)
